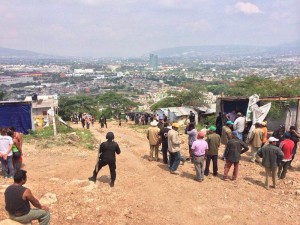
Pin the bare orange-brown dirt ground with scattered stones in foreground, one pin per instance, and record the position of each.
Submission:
(146, 193)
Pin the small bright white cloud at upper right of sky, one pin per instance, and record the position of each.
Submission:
(246, 8)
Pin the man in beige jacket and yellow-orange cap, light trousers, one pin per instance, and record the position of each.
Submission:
(174, 148)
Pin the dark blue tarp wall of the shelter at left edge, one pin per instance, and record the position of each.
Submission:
(16, 115)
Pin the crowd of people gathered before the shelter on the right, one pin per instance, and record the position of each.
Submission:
(277, 151)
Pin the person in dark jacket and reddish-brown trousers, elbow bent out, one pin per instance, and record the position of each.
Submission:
(234, 148)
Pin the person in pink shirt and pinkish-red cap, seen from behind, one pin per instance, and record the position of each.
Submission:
(199, 148)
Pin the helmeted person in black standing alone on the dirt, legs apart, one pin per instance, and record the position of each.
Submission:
(107, 156)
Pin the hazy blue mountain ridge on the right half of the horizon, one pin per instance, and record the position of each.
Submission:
(227, 50)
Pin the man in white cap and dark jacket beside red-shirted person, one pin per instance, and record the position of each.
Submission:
(270, 155)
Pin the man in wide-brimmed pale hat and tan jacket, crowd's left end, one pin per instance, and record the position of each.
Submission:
(154, 139)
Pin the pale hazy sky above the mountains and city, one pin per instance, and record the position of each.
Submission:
(131, 28)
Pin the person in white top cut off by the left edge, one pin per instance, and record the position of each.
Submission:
(6, 155)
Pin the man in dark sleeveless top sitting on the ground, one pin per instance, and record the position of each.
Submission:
(17, 198)
